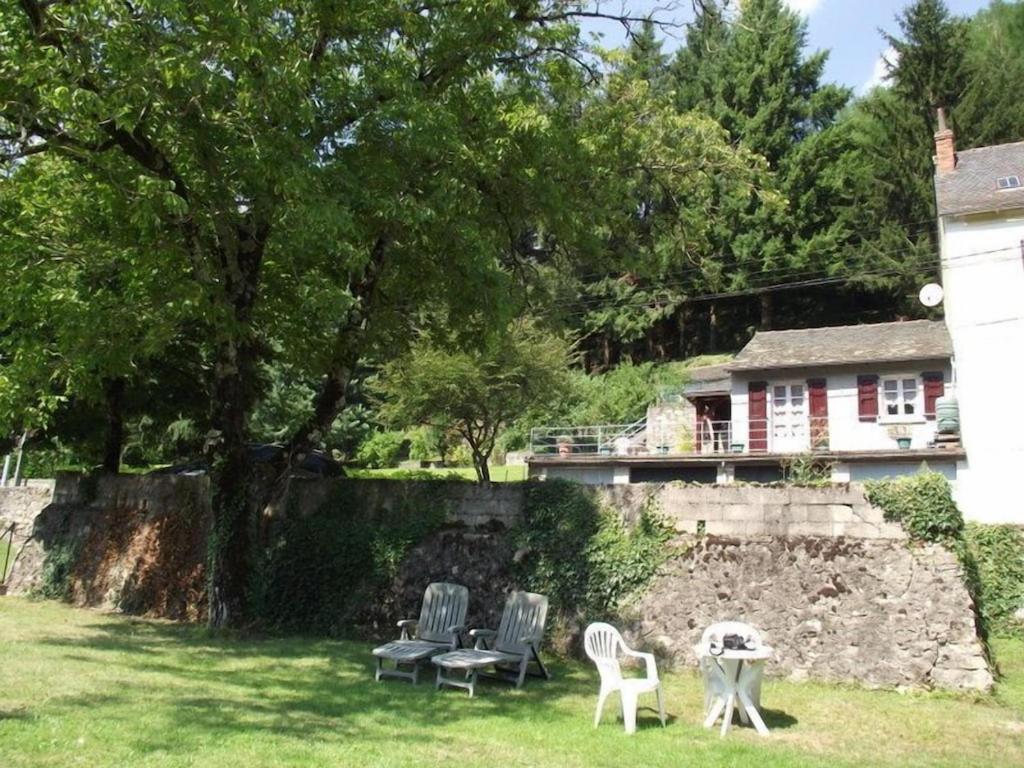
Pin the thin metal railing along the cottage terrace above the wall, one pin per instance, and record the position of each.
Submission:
(705, 439)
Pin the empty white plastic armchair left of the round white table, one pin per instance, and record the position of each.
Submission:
(605, 645)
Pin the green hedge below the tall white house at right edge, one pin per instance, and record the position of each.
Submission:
(999, 551)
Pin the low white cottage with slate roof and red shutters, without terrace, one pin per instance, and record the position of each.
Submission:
(852, 390)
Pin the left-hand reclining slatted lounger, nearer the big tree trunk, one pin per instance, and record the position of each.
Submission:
(438, 630)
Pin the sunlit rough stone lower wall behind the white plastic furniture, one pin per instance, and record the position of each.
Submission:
(877, 612)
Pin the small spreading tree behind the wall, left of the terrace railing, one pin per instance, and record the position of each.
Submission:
(476, 393)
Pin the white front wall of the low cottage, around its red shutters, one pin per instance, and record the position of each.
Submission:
(846, 432)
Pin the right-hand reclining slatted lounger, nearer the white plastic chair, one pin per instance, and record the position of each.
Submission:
(509, 651)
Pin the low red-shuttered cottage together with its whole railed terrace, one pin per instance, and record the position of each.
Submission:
(862, 399)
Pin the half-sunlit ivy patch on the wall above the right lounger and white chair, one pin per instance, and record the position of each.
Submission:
(583, 558)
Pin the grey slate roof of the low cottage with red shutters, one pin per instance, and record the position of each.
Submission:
(881, 343)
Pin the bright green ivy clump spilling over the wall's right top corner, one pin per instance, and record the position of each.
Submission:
(922, 503)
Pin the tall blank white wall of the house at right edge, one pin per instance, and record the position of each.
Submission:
(984, 279)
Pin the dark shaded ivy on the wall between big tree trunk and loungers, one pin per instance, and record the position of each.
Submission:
(323, 568)
